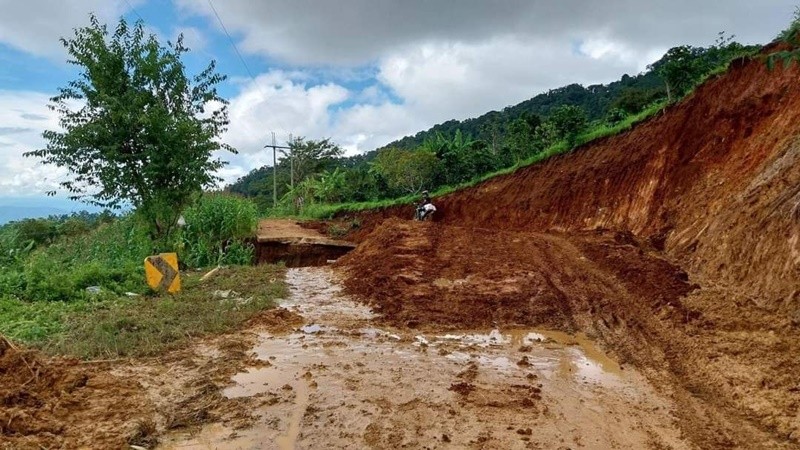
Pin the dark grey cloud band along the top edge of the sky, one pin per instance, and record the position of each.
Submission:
(359, 31)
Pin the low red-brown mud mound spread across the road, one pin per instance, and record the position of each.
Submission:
(421, 273)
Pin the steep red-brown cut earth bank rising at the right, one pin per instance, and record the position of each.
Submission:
(714, 181)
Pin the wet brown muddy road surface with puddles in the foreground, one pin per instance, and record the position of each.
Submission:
(340, 382)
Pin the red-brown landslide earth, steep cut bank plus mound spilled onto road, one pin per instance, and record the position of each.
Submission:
(710, 188)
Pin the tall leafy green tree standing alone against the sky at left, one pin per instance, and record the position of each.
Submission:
(136, 129)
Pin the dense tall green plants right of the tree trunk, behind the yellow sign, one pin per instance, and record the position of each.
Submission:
(217, 226)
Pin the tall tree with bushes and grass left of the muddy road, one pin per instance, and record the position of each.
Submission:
(141, 140)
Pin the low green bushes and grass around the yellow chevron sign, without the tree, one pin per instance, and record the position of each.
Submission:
(84, 293)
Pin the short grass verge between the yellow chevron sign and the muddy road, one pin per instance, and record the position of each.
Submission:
(114, 326)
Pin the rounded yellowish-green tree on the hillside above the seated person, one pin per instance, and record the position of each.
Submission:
(406, 171)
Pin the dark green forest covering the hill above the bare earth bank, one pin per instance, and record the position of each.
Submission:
(455, 152)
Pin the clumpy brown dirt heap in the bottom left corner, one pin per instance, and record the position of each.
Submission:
(60, 403)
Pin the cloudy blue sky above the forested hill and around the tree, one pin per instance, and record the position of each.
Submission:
(363, 72)
